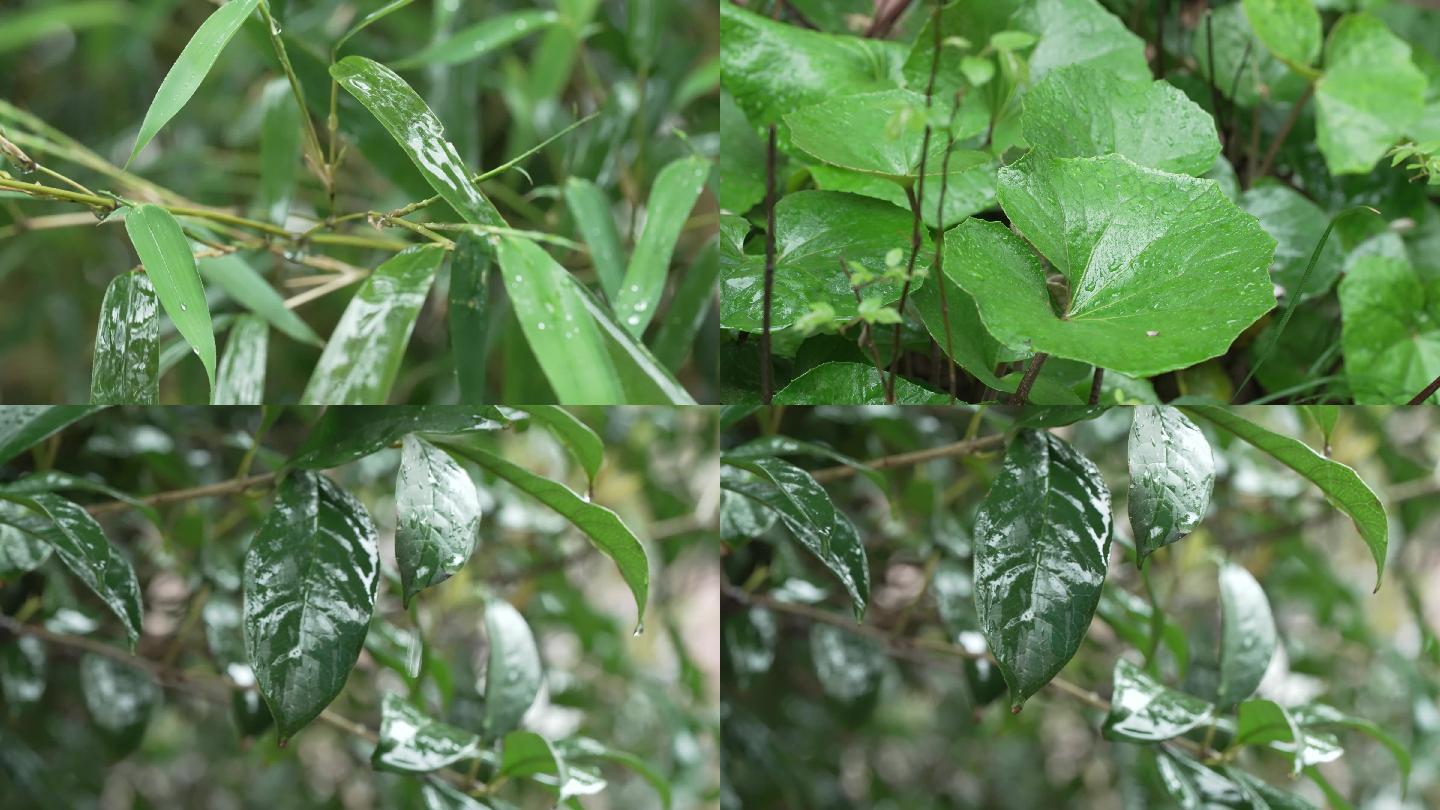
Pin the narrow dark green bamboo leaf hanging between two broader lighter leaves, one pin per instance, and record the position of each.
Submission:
(470, 313)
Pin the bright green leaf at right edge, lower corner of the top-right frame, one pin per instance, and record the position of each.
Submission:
(1390, 331)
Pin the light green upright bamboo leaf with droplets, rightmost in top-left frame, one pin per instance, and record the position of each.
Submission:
(675, 194)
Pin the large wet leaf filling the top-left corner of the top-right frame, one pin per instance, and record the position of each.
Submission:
(773, 68)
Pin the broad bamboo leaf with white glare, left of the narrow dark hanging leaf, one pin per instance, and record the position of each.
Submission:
(365, 351)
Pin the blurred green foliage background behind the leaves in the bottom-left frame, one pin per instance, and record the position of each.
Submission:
(654, 695)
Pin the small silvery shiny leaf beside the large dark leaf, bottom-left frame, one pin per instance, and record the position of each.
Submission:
(437, 517)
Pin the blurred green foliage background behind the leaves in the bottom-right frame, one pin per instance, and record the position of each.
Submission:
(885, 729)
